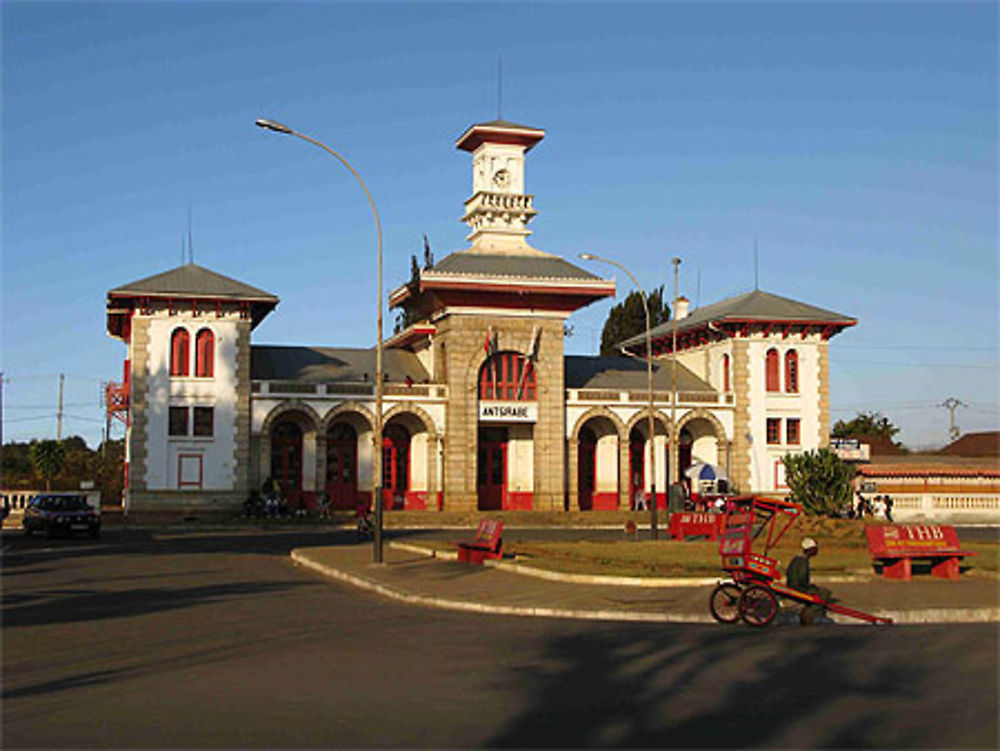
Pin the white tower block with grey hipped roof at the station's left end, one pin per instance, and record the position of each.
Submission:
(187, 385)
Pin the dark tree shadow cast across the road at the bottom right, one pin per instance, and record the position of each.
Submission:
(833, 687)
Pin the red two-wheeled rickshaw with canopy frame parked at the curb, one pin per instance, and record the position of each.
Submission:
(754, 588)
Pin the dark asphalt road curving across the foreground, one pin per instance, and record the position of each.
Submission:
(216, 640)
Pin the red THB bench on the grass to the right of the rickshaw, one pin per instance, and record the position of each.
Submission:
(896, 546)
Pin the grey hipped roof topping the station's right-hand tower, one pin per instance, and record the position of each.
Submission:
(752, 306)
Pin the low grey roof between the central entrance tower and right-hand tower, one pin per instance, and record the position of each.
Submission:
(626, 374)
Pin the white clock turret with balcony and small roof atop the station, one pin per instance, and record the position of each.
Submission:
(499, 209)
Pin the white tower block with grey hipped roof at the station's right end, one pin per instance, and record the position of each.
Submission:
(771, 354)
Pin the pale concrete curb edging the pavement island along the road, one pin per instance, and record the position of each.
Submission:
(901, 617)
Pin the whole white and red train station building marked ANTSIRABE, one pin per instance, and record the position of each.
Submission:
(482, 408)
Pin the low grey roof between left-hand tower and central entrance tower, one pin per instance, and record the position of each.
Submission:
(331, 364)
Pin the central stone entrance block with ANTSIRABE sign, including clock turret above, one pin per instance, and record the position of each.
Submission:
(490, 326)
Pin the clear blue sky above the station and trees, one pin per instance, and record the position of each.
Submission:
(857, 143)
